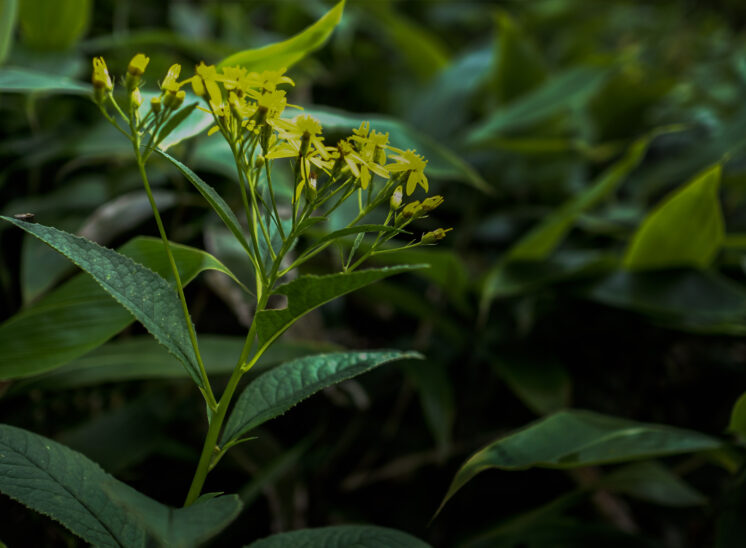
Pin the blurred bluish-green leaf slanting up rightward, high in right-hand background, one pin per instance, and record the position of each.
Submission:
(558, 94)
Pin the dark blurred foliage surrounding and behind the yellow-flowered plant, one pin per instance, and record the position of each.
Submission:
(592, 159)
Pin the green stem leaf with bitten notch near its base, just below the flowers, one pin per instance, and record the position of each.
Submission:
(309, 291)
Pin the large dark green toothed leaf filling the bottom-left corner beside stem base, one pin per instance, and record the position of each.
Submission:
(75, 491)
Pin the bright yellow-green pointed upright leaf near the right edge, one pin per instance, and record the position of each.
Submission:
(686, 229)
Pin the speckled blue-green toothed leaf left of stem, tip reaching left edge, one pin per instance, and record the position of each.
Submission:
(145, 294)
